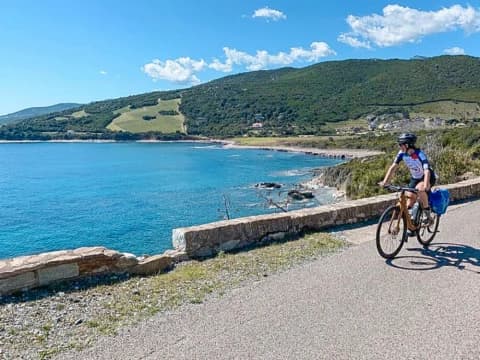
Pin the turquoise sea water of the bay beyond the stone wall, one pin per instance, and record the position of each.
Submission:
(129, 196)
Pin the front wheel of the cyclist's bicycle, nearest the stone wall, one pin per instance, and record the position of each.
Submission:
(391, 232)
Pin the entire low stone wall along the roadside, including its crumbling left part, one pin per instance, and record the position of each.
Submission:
(28, 272)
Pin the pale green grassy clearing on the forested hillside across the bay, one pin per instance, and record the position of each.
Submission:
(133, 120)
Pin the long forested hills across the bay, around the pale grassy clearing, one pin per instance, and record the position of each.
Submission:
(285, 101)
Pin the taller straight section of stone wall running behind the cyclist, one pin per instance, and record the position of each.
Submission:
(208, 239)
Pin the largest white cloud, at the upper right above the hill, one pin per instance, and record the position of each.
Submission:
(400, 24)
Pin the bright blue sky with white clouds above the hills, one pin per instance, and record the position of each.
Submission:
(81, 51)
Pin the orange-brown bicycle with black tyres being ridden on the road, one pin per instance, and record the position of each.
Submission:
(395, 221)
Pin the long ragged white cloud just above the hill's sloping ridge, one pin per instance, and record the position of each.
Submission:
(262, 59)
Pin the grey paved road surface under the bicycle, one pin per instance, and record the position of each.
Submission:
(353, 305)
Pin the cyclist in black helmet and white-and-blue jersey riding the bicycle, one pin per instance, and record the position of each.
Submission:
(422, 175)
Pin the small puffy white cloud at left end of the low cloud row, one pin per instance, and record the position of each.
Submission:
(181, 70)
